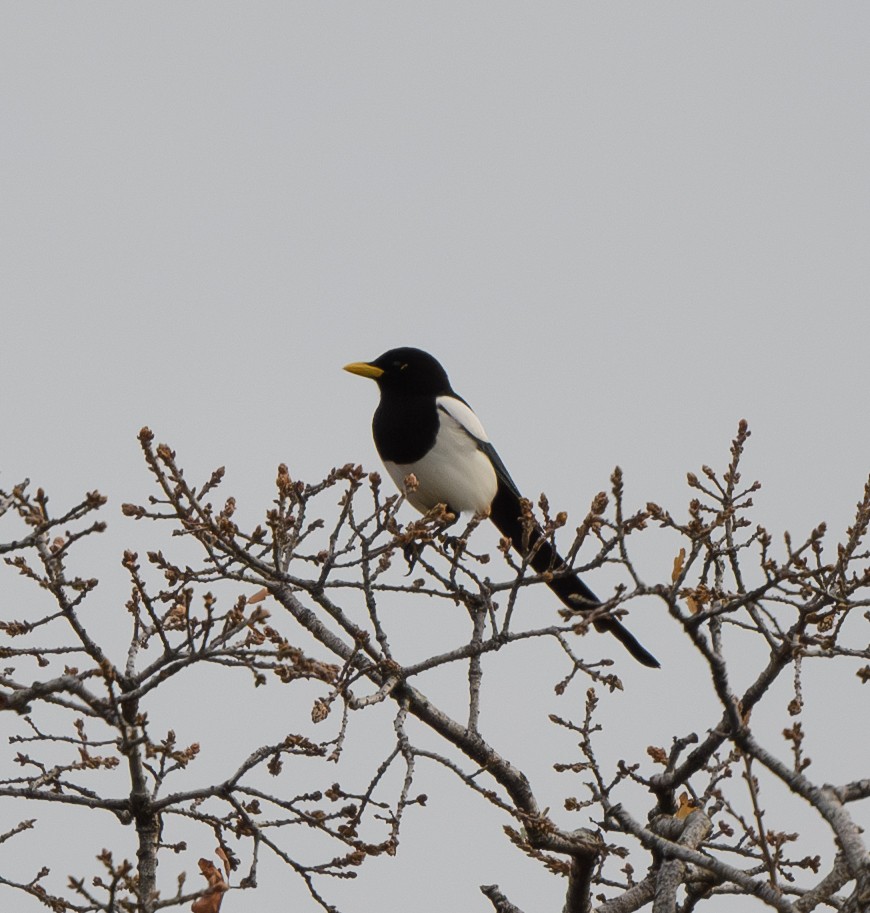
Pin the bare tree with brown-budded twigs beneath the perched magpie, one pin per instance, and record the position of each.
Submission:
(88, 736)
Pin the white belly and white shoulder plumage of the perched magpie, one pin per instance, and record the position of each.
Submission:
(455, 472)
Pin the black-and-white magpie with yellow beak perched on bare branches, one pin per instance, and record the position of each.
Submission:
(423, 427)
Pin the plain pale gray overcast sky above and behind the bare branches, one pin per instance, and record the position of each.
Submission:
(621, 227)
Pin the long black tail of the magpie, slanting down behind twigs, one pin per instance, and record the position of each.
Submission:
(505, 513)
